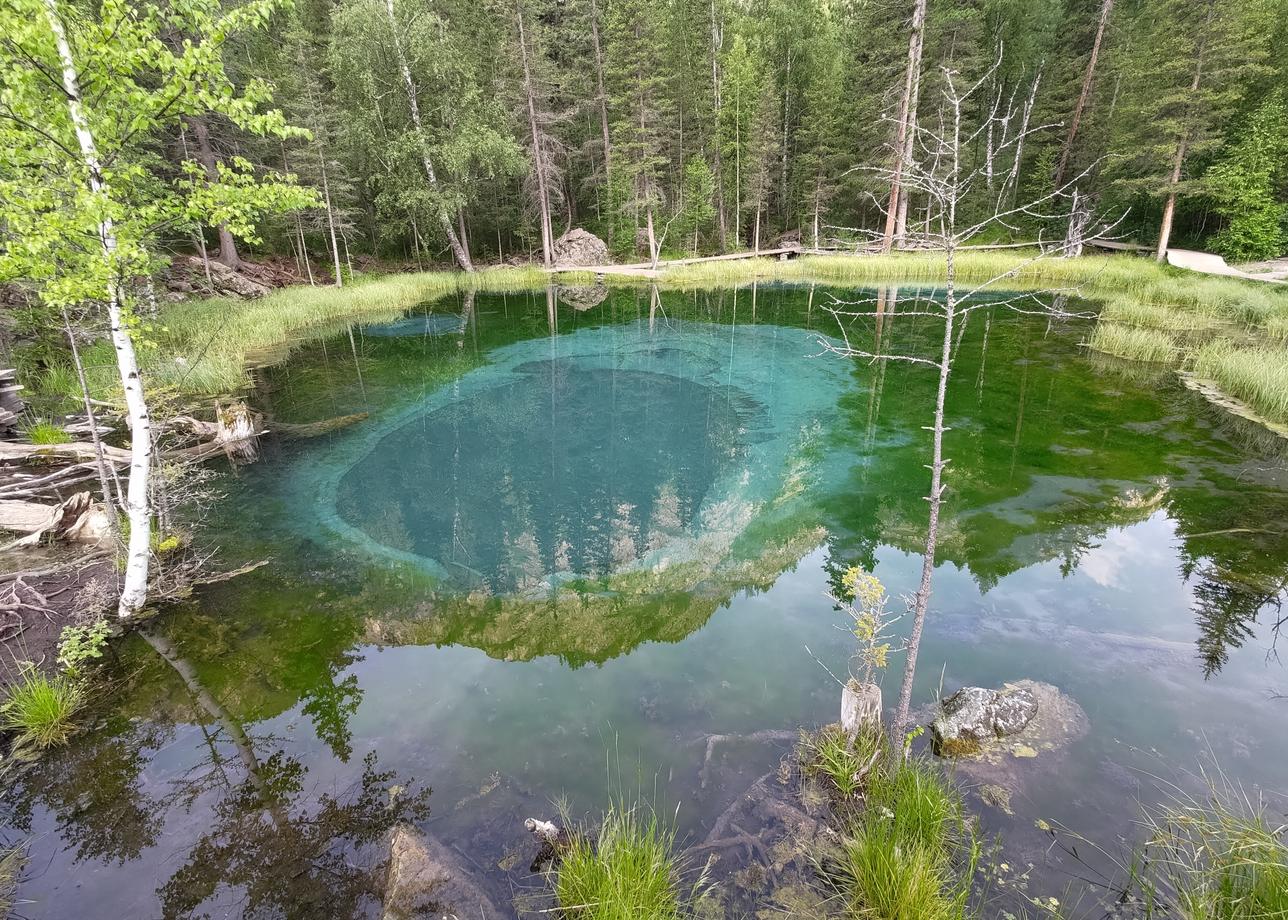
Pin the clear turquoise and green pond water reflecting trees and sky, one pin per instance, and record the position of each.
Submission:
(569, 546)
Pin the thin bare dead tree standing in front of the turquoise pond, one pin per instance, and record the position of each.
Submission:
(963, 200)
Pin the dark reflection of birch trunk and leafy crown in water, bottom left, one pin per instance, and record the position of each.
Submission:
(284, 854)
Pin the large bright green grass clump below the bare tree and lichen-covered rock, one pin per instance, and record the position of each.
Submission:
(911, 854)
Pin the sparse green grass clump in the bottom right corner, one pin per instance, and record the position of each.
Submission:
(1224, 858)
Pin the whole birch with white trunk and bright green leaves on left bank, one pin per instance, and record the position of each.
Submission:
(79, 211)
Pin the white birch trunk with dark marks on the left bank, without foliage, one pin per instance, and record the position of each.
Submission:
(135, 589)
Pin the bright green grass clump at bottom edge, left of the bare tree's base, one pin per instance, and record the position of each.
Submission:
(629, 874)
